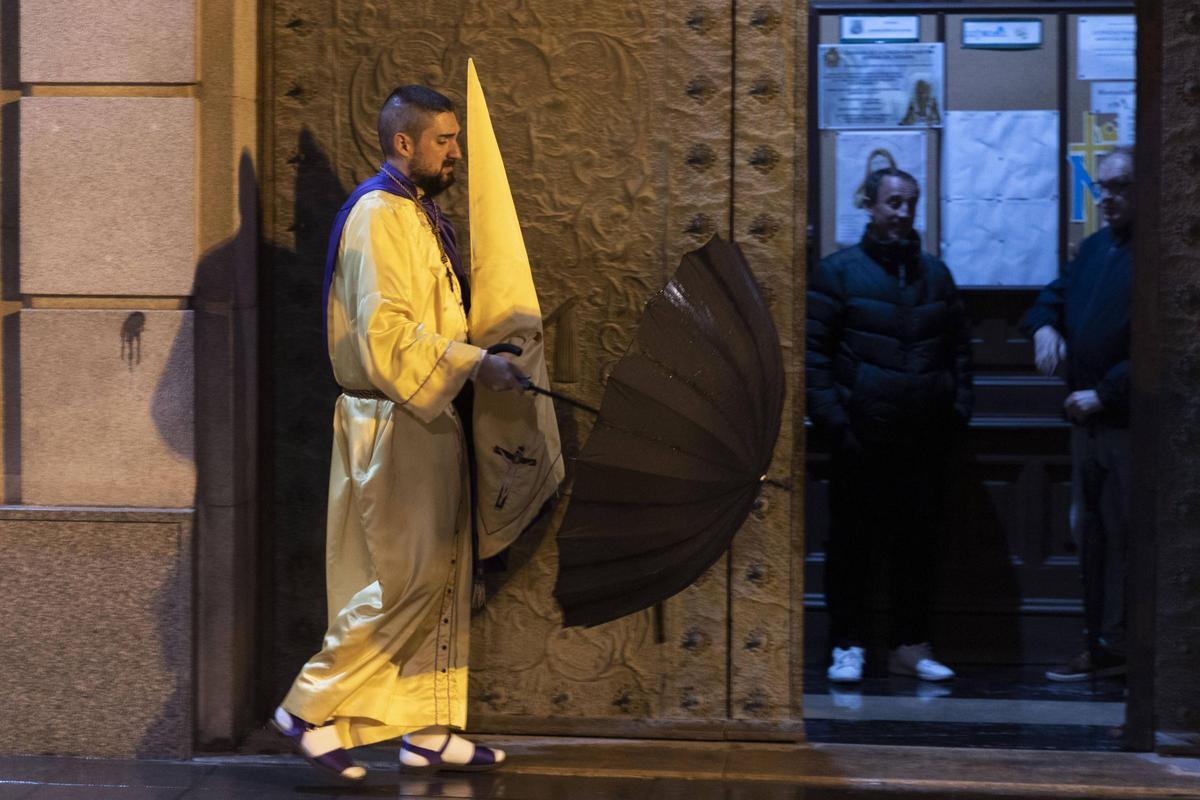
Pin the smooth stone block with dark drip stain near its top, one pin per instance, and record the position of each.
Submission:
(107, 408)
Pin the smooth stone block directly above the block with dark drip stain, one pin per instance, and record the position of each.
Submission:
(109, 196)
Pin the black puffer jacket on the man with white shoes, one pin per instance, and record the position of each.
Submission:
(889, 345)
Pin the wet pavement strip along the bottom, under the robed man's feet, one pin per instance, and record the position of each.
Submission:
(584, 769)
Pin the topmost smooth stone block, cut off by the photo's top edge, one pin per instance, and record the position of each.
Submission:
(118, 41)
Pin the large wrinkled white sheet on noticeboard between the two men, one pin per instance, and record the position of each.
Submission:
(1000, 197)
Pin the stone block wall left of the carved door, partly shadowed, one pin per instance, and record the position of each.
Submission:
(128, 375)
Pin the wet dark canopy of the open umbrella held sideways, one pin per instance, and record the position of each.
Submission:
(686, 434)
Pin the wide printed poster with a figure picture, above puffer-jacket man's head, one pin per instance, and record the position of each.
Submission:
(881, 86)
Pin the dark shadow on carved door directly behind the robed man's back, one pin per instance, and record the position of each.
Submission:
(297, 405)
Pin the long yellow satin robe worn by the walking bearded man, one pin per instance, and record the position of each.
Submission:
(399, 556)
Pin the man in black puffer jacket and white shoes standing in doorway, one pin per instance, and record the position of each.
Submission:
(890, 378)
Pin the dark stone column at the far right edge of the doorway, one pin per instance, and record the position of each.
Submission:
(1165, 596)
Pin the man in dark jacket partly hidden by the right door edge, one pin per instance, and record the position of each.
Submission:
(1083, 320)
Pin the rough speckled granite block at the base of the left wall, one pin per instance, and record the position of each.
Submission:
(97, 647)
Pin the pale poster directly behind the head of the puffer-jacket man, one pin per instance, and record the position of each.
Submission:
(861, 153)
